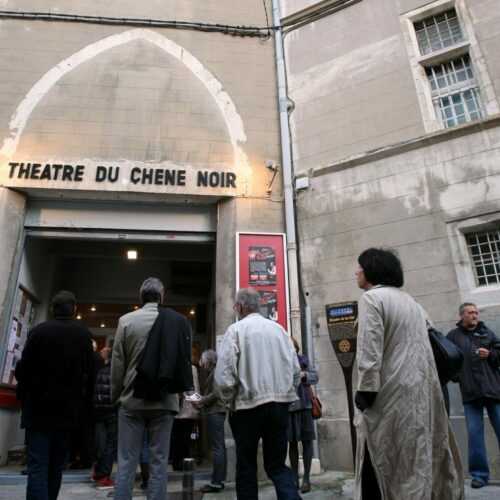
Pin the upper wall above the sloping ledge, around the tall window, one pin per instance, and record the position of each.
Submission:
(350, 79)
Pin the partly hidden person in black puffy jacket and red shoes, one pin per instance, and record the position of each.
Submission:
(106, 414)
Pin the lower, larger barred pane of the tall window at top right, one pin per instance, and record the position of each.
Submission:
(455, 92)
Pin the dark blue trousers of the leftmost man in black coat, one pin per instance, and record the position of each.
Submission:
(47, 453)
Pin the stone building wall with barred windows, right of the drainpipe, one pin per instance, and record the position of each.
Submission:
(395, 127)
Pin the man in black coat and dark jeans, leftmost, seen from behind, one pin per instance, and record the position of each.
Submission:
(55, 379)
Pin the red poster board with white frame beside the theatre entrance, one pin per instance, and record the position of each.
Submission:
(245, 240)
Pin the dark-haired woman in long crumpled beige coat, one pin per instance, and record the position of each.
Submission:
(406, 449)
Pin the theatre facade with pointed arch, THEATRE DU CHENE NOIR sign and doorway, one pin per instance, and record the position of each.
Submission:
(132, 122)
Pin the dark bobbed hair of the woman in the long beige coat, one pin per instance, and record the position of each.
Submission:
(381, 267)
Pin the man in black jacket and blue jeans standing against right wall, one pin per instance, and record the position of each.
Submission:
(479, 381)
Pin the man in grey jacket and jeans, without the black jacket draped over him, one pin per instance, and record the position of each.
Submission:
(134, 413)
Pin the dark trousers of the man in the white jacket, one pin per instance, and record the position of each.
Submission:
(269, 422)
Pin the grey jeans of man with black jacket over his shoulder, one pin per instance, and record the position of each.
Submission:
(131, 425)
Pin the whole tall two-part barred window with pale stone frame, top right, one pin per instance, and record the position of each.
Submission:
(452, 81)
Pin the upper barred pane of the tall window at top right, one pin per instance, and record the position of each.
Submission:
(438, 32)
